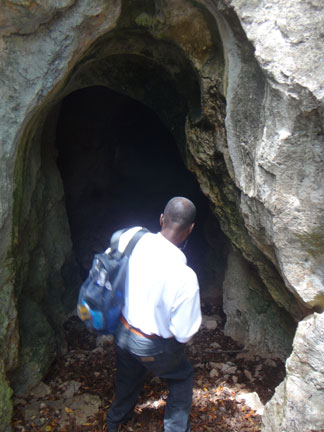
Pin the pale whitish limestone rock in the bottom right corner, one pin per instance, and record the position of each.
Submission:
(298, 401)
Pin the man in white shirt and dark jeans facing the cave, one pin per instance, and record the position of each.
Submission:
(161, 313)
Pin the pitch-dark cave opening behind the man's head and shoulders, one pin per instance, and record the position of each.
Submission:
(120, 165)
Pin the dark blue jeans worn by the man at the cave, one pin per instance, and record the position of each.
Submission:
(137, 356)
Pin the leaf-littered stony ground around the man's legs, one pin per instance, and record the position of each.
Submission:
(230, 387)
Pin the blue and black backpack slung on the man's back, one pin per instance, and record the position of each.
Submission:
(101, 296)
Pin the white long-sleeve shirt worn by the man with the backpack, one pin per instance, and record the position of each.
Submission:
(162, 292)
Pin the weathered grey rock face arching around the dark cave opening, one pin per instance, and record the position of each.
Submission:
(244, 102)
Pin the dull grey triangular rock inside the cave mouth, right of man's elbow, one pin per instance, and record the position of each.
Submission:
(252, 319)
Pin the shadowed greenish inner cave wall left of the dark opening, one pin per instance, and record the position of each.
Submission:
(41, 248)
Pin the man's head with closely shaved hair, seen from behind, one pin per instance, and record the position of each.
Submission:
(178, 218)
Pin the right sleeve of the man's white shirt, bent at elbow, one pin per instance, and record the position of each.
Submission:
(186, 314)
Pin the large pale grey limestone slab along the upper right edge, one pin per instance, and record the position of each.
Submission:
(282, 183)
